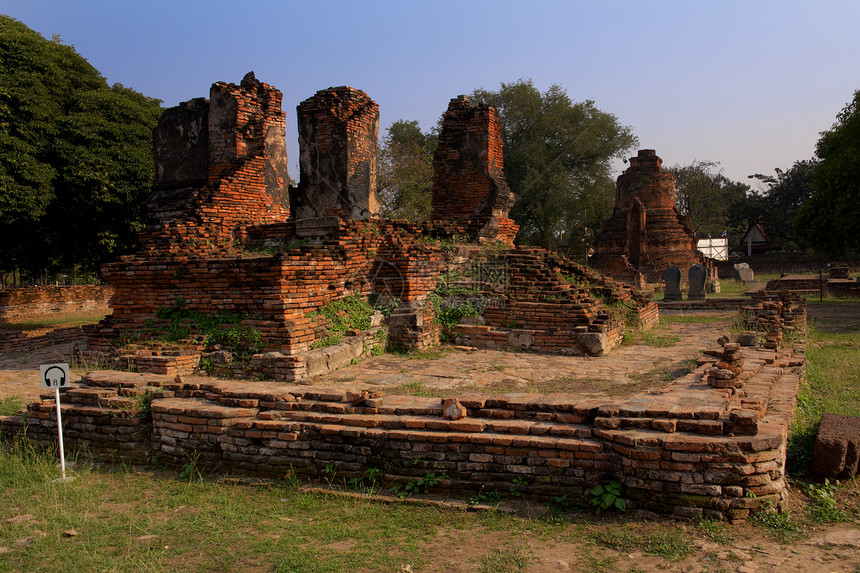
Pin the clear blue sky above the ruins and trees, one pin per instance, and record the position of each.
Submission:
(747, 83)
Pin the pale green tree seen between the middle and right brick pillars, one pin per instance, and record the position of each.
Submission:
(405, 171)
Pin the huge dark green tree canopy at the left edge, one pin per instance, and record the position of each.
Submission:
(75, 156)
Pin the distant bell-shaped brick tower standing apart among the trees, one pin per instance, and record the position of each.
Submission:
(645, 233)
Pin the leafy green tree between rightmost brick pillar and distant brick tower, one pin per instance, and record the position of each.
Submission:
(557, 161)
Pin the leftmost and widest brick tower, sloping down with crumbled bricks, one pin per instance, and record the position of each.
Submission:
(221, 165)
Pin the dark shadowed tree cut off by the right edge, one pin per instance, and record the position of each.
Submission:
(830, 220)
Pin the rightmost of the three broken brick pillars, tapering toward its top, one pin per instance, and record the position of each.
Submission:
(468, 180)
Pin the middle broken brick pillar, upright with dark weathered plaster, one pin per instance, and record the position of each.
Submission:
(338, 147)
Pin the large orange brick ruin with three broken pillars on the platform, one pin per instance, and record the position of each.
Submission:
(230, 235)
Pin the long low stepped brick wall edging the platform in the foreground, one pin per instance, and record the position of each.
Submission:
(691, 449)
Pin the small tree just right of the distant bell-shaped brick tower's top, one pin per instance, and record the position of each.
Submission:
(702, 192)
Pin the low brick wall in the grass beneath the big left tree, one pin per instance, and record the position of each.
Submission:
(22, 303)
